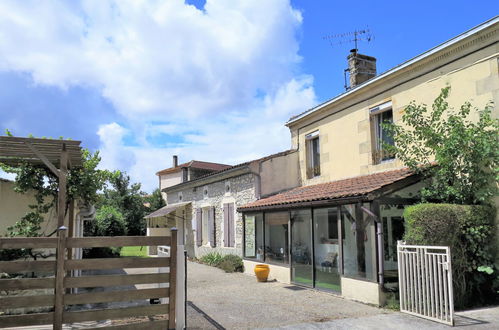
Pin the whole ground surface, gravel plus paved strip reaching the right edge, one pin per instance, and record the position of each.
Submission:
(238, 301)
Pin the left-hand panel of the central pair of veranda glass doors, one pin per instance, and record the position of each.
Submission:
(301, 248)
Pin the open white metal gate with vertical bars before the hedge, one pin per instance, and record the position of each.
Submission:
(425, 282)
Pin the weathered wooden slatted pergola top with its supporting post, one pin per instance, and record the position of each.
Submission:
(56, 155)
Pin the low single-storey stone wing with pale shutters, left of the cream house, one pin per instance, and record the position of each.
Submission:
(205, 207)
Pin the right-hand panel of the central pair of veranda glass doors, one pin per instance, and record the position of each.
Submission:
(327, 252)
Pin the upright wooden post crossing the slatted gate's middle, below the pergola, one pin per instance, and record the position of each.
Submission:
(59, 278)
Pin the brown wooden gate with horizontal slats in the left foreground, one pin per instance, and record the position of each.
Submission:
(62, 283)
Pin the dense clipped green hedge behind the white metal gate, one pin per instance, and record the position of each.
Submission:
(469, 232)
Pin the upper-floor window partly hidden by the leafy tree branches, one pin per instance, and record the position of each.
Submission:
(380, 115)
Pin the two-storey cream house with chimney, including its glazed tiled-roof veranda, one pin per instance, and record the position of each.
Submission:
(338, 231)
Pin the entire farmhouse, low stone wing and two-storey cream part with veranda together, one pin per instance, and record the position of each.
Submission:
(328, 213)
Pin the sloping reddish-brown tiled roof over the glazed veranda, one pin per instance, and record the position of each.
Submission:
(352, 187)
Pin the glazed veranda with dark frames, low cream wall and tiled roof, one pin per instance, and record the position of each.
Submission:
(339, 236)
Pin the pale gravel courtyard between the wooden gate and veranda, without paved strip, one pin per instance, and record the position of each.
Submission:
(238, 301)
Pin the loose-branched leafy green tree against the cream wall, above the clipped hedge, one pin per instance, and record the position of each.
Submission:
(461, 156)
